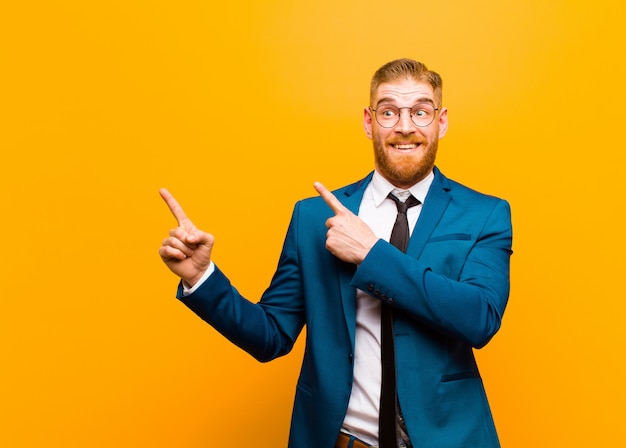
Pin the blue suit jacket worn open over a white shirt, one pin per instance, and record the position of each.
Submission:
(449, 292)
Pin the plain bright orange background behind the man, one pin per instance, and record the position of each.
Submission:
(103, 102)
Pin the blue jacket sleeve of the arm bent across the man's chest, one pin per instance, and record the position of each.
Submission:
(467, 304)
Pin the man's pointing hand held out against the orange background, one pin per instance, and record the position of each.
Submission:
(187, 251)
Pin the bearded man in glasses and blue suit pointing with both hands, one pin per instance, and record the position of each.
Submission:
(337, 270)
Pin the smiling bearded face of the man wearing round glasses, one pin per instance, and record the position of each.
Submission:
(405, 153)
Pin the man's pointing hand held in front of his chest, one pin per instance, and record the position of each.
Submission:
(348, 237)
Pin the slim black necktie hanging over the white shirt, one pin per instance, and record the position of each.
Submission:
(388, 395)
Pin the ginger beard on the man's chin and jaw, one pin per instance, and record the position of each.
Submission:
(405, 170)
